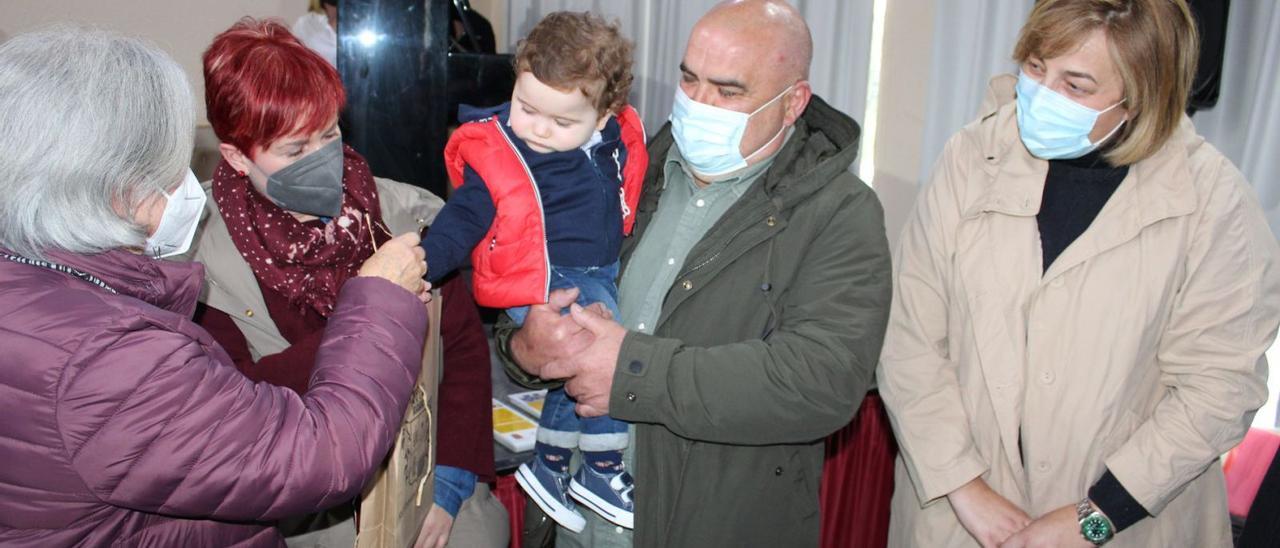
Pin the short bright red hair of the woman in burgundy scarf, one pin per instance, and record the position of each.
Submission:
(262, 84)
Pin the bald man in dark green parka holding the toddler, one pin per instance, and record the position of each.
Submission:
(755, 299)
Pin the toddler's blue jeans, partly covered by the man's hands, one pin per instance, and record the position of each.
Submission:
(560, 426)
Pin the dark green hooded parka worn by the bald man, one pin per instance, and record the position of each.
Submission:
(767, 344)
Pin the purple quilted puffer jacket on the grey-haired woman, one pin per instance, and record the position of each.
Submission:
(125, 424)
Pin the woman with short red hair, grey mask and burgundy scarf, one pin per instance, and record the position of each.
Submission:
(292, 213)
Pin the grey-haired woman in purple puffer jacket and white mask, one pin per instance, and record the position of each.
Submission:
(126, 423)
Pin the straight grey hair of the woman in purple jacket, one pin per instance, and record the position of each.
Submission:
(93, 124)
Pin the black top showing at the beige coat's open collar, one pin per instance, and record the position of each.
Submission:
(1075, 194)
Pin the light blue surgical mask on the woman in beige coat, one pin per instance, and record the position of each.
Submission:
(1053, 126)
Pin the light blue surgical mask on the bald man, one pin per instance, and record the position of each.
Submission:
(711, 138)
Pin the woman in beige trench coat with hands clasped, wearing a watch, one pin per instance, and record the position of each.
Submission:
(1084, 299)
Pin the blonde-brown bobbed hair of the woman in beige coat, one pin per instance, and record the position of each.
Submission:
(1154, 45)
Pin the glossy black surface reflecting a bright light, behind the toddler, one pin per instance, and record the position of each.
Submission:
(408, 65)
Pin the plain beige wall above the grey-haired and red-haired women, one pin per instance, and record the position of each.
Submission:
(181, 28)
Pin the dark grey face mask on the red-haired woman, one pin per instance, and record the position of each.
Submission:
(313, 185)
